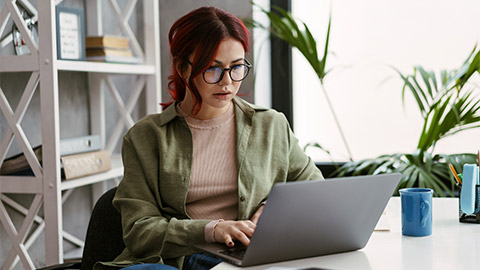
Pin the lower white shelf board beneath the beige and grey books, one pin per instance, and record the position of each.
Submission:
(116, 171)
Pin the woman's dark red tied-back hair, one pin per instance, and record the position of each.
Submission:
(199, 34)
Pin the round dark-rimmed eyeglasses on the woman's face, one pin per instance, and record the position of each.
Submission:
(237, 73)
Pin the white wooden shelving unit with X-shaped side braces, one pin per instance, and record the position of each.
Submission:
(44, 66)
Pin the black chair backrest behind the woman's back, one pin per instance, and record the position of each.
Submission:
(104, 240)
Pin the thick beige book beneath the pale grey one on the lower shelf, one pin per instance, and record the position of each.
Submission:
(84, 164)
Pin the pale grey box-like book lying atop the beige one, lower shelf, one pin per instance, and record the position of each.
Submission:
(77, 145)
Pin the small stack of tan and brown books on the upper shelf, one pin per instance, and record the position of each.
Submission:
(109, 49)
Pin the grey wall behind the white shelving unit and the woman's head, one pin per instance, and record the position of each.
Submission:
(74, 112)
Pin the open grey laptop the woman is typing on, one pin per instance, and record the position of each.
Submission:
(312, 218)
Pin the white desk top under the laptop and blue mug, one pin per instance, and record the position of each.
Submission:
(452, 245)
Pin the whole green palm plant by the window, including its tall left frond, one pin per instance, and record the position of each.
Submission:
(445, 100)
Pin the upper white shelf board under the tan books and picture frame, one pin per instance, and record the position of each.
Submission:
(101, 67)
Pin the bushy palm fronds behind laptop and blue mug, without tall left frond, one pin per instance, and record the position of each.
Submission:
(448, 106)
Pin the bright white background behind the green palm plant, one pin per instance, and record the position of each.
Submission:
(366, 38)
